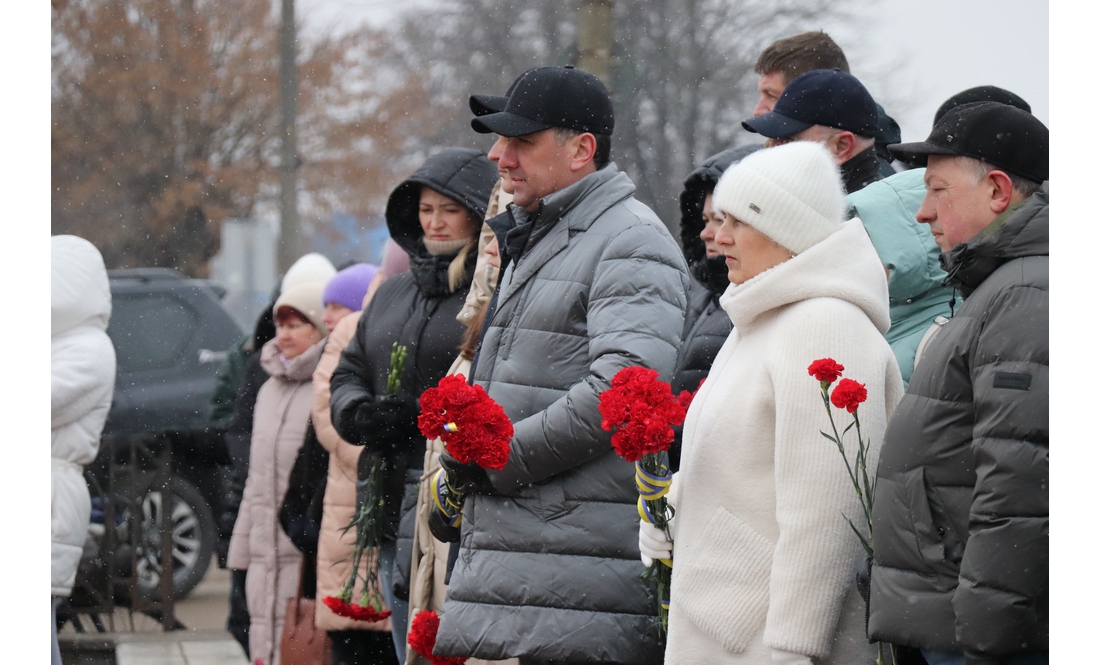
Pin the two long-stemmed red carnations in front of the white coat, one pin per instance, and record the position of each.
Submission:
(848, 396)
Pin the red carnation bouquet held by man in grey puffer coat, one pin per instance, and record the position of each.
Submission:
(475, 430)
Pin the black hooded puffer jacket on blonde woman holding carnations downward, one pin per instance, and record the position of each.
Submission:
(415, 309)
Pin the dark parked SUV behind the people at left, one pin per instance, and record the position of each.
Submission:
(171, 336)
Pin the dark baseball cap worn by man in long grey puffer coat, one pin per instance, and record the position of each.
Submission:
(548, 97)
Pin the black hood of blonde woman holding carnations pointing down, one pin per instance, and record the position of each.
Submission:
(464, 175)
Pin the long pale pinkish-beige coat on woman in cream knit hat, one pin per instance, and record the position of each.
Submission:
(259, 544)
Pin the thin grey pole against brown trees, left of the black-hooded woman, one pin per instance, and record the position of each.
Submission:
(289, 240)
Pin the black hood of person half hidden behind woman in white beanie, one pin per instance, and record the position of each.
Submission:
(712, 274)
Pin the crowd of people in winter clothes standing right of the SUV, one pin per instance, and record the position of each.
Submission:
(535, 273)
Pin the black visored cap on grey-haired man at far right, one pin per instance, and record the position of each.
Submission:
(1006, 137)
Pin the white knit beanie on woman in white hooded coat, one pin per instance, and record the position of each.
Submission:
(793, 194)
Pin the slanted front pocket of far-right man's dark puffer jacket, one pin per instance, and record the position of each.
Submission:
(908, 538)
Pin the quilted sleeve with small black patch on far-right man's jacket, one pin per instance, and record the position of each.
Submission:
(1004, 573)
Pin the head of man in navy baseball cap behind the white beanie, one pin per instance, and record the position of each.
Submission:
(832, 108)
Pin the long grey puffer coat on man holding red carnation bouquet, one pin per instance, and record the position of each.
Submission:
(548, 568)
